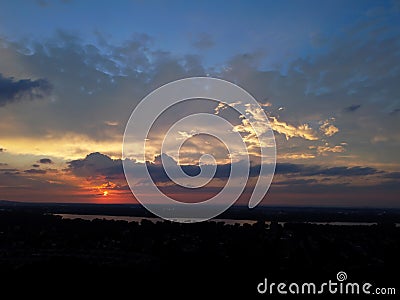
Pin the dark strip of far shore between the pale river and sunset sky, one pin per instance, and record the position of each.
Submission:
(260, 213)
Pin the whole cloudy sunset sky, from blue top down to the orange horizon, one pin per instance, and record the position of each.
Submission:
(326, 73)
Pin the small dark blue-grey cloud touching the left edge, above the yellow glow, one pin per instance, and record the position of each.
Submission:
(12, 90)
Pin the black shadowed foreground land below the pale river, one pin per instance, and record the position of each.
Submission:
(39, 252)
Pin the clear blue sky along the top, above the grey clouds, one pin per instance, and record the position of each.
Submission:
(282, 30)
